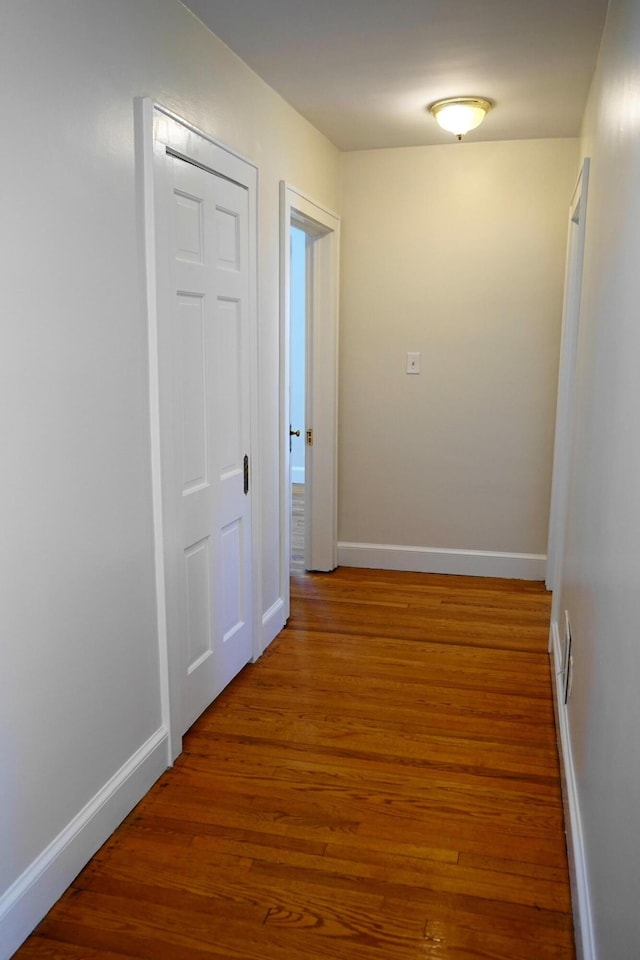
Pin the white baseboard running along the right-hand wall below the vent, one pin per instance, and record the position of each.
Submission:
(583, 926)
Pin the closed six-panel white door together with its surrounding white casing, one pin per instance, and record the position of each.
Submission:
(203, 372)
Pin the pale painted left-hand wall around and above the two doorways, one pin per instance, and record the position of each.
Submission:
(79, 688)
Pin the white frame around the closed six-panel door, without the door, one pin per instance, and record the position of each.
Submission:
(158, 128)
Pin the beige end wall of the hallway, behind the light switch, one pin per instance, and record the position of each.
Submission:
(457, 252)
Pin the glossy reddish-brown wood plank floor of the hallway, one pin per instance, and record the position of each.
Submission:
(381, 785)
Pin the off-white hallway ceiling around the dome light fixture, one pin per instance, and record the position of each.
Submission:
(363, 71)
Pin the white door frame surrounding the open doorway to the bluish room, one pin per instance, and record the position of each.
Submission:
(322, 378)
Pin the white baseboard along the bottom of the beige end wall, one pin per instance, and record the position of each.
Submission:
(470, 563)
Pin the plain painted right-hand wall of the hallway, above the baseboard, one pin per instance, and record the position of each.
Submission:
(602, 564)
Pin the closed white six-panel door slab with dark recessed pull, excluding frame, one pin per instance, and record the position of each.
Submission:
(211, 500)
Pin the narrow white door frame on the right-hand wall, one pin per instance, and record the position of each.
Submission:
(566, 387)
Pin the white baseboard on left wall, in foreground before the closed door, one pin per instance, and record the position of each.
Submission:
(27, 901)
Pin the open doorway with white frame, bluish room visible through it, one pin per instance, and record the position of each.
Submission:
(309, 381)
